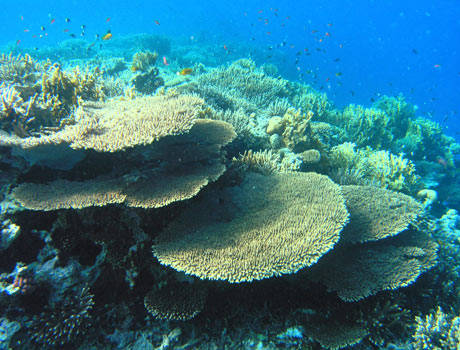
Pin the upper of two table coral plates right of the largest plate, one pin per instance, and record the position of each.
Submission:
(377, 213)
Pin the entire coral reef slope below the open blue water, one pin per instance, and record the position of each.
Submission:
(225, 208)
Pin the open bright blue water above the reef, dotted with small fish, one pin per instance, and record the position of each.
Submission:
(353, 50)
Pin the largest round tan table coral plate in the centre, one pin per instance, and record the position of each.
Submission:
(275, 225)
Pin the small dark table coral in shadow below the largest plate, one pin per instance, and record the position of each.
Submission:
(180, 301)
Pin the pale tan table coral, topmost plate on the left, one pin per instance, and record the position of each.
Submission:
(117, 125)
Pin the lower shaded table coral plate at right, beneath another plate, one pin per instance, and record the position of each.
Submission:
(361, 270)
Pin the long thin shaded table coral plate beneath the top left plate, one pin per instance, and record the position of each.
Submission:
(148, 191)
